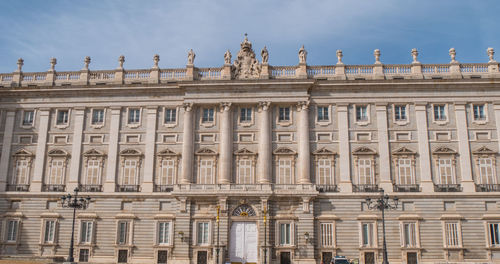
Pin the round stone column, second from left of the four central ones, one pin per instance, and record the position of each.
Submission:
(226, 145)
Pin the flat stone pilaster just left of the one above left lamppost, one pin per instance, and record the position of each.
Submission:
(41, 147)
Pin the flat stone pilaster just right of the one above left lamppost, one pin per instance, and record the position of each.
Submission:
(114, 138)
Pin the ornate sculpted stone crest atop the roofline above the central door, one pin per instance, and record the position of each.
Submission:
(246, 66)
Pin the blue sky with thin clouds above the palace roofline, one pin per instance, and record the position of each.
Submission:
(106, 29)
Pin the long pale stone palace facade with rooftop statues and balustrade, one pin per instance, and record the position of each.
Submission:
(267, 164)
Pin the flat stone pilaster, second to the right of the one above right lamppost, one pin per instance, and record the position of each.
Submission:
(464, 148)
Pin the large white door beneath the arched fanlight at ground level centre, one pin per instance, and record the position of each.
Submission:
(243, 242)
